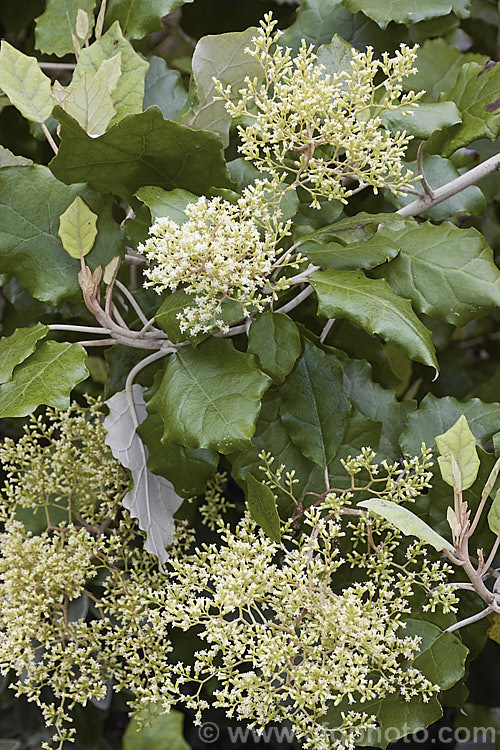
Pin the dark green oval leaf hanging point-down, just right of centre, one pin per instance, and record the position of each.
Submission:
(314, 405)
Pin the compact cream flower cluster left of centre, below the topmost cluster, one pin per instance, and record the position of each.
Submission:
(224, 251)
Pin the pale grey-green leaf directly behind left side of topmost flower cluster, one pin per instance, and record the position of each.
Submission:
(221, 56)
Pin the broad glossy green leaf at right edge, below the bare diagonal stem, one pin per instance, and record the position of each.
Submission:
(447, 272)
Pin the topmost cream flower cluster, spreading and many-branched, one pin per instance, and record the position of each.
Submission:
(322, 129)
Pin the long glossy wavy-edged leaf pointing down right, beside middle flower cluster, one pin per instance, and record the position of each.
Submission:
(373, 306)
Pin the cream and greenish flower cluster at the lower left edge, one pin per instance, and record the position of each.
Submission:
(77, 552)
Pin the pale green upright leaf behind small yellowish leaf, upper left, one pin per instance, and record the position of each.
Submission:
(128, 94)
